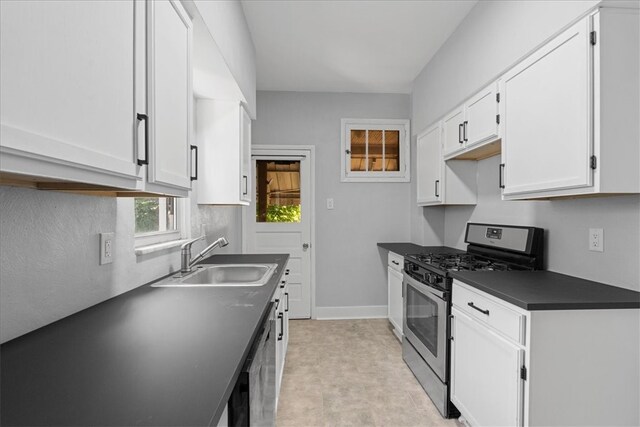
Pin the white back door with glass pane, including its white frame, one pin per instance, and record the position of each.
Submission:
(278, 220)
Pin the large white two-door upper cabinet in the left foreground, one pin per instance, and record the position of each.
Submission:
(96, 96)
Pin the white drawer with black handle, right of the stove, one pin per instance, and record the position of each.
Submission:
(505, 320)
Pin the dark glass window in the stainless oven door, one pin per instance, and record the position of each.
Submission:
(422, 319)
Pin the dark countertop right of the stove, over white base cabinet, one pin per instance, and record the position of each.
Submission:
(546, 290)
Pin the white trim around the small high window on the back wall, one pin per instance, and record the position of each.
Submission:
(404, 175)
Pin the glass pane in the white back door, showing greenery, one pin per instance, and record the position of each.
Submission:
(278, 191)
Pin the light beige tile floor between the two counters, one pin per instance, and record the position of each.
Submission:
(350, 373)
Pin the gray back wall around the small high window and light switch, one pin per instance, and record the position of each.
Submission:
(350, 271)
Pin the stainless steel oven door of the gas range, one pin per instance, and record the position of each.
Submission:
(425, 323)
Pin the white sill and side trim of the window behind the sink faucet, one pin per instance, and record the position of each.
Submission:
(160, 240)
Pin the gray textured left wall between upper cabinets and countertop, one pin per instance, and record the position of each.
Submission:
(49, 253)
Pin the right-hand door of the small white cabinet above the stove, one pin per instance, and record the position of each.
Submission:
(481, 113)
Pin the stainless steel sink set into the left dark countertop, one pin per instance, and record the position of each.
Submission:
(221, 275)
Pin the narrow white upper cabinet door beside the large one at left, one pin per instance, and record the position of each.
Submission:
(170, 96)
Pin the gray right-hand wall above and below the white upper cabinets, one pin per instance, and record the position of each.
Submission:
(495, 35)
